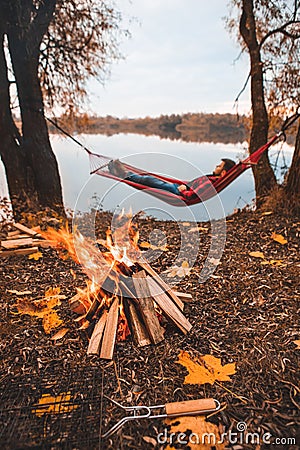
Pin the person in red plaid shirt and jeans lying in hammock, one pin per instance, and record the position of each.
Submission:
(189, 190)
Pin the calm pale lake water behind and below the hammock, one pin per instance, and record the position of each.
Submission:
(179, 159)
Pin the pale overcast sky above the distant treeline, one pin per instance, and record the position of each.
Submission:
(179, 59)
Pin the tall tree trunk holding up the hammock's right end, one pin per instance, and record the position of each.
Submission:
(263, 174)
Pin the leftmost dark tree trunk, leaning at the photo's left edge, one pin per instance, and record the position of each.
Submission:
(18, 172)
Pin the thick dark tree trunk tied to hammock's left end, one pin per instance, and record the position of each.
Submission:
(36, 143)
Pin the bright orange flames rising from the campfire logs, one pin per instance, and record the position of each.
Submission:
(122, 253)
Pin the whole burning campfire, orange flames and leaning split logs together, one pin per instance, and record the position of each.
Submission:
(124, 296)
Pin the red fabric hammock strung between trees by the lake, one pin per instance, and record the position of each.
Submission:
(99, 166)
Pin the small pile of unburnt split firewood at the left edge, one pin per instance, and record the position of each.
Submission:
(22, 241)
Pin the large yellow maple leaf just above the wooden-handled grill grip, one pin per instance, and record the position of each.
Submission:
(205, 369)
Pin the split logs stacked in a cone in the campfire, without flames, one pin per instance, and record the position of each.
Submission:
(140, 301)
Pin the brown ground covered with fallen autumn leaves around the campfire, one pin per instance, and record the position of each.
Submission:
(243, 349)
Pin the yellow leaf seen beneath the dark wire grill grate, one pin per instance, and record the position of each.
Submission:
(60, 404)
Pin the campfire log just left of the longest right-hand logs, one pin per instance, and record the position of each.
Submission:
(146, 307)
